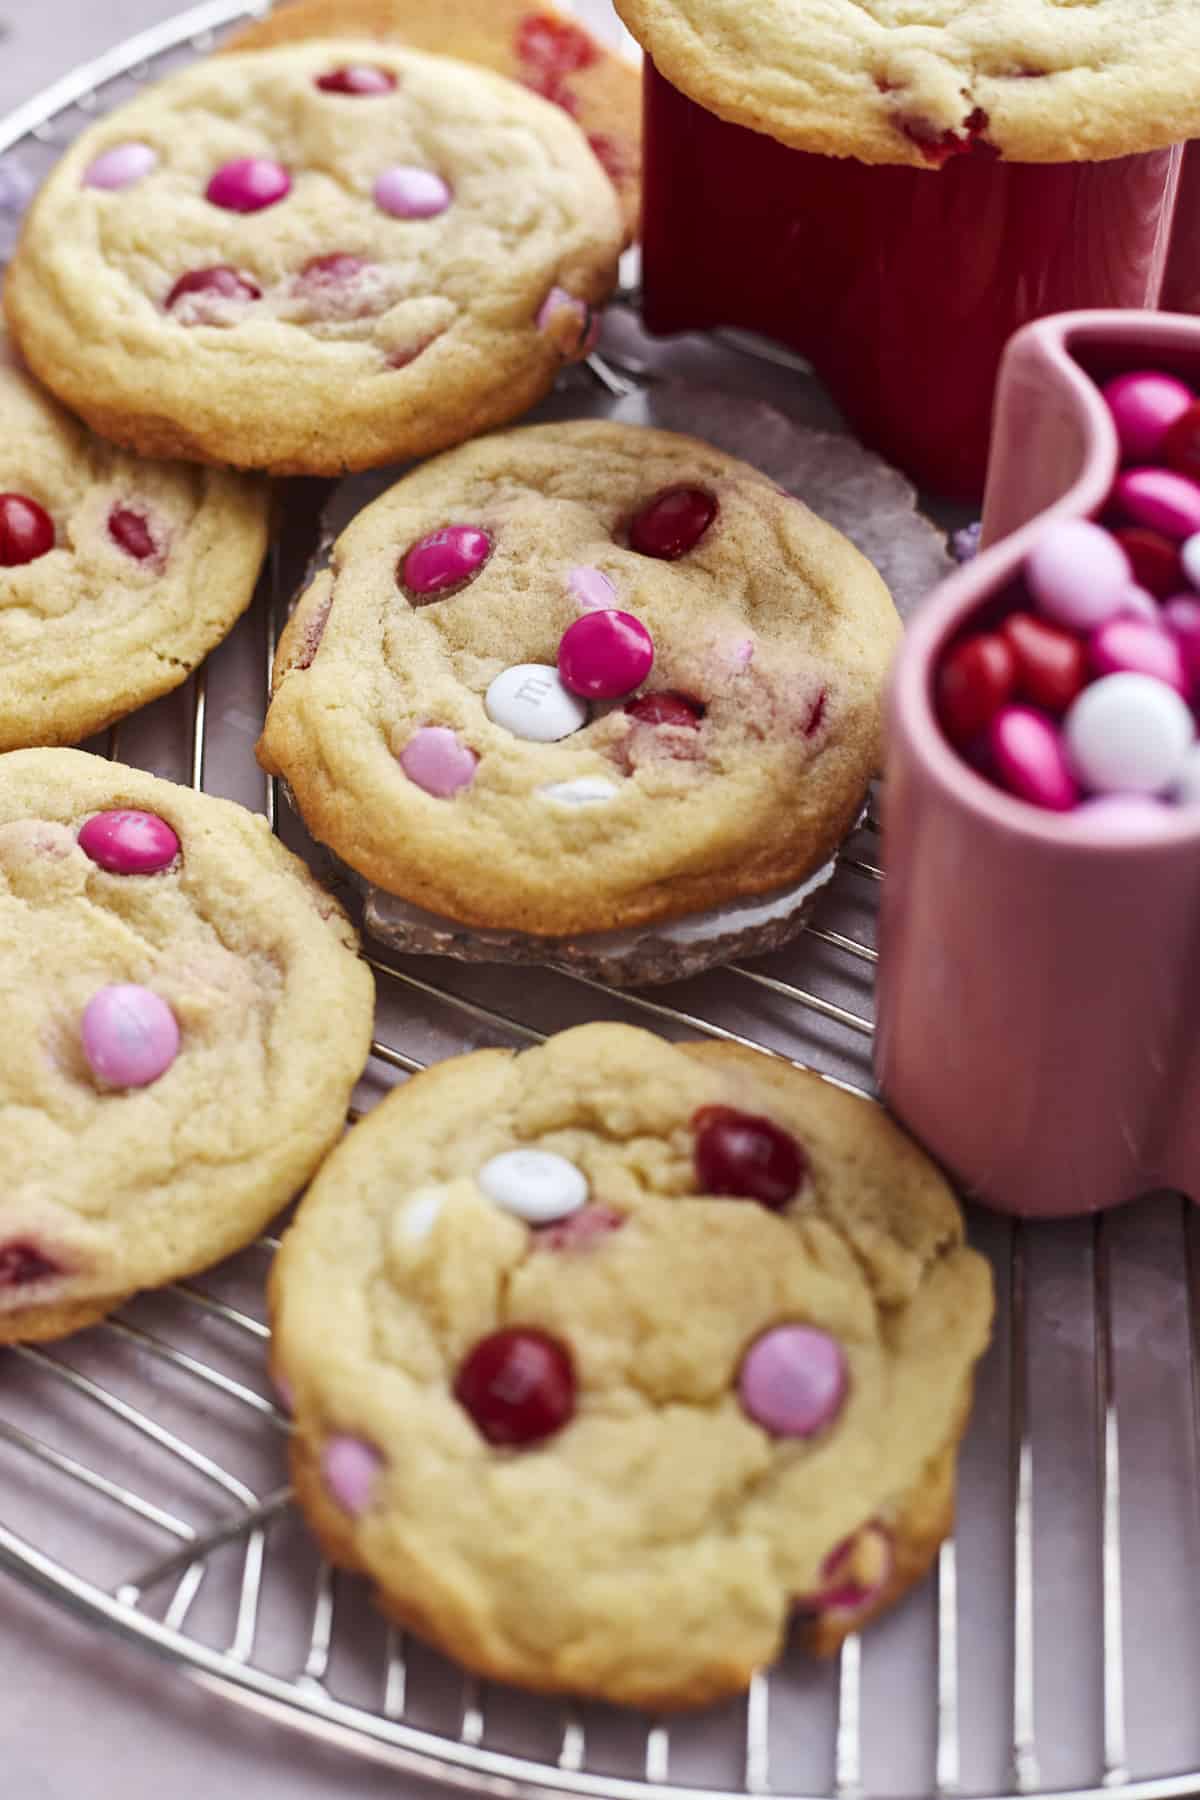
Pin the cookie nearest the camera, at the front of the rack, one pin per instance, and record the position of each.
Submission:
(611, 1356)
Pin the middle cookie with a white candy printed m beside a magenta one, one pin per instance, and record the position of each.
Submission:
(580, 678)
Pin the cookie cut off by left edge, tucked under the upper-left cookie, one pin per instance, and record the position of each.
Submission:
(116, 575)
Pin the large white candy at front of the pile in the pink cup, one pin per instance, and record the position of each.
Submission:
(1129, 735)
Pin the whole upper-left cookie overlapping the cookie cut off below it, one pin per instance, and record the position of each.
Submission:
(323, 256)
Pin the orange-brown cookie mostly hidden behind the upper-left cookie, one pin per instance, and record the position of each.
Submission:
(537, 46)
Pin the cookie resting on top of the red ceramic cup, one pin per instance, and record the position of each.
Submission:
(924, 80)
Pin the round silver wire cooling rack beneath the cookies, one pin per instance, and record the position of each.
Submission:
(1057, 1650)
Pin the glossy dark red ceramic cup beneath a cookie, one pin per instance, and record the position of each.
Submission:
(900, 285)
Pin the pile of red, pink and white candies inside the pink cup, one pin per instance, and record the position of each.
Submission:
(1086, 696)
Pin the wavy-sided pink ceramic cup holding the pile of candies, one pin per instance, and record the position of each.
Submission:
(1039, 982)
